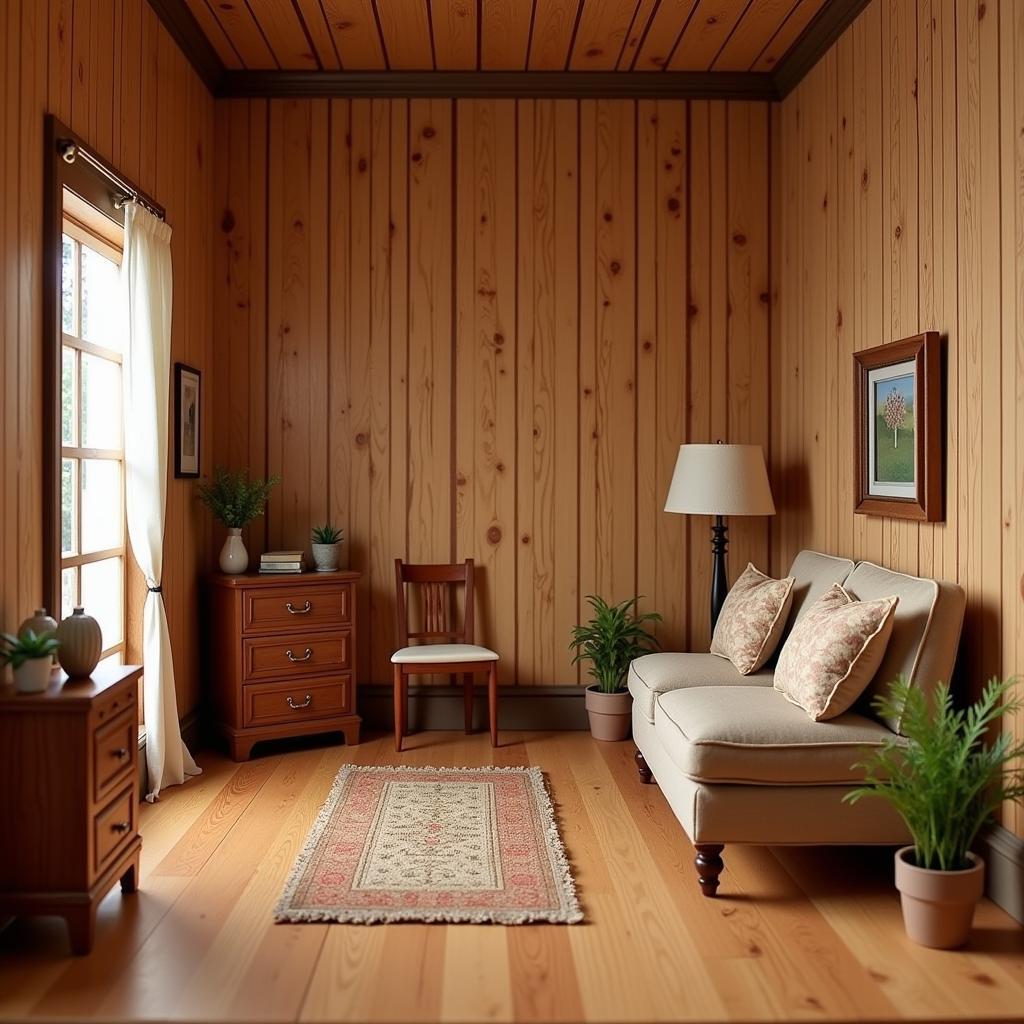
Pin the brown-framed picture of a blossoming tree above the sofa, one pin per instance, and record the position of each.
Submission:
(899, 443)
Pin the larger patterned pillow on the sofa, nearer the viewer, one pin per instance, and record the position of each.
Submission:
(834, 652)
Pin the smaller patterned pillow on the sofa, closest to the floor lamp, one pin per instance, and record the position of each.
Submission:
(752, 620)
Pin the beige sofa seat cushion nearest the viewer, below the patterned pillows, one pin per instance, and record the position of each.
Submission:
(753, 736)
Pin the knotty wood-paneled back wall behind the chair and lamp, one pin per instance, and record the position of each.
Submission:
(482, 329)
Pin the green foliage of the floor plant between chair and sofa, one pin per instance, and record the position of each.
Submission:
(612, 639)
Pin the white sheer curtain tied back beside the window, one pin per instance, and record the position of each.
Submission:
(146, 280)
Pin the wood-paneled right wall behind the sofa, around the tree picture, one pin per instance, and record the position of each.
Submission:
(899, 207)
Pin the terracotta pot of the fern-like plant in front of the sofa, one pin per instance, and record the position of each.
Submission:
(938, 907)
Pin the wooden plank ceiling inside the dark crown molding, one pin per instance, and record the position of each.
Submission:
(503, 35)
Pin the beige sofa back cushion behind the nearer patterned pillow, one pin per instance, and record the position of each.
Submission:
(926, 628)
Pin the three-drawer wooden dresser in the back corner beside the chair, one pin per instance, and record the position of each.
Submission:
(282, 657)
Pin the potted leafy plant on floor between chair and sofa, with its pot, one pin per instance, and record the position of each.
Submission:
(611, 642)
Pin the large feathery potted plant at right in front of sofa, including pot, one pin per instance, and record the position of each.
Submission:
(946, 783)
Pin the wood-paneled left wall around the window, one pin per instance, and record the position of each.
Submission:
(109, 70)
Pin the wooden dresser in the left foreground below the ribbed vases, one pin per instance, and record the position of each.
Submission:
(69, 797)
